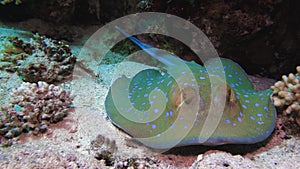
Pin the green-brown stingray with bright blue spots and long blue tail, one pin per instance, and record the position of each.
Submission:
(179, 107)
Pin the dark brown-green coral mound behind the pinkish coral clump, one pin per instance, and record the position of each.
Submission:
(41, 59)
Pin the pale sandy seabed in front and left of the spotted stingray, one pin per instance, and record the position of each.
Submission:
(67, 144)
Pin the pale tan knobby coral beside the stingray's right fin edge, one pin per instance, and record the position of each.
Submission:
(286, 95)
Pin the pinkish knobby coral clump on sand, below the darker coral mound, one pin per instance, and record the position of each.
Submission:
(33, 107)
